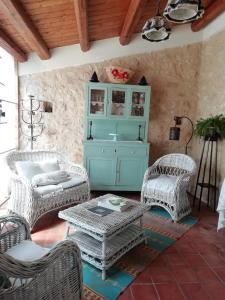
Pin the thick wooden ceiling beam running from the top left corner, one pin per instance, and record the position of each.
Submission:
(17, 16)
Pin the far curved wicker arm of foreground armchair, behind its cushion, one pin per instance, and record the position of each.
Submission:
(13, 230)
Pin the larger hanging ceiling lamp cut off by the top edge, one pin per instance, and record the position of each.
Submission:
(182, 11)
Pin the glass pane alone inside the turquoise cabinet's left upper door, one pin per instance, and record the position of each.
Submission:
(97, 102)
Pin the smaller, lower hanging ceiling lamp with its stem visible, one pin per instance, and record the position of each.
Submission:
(156, 29)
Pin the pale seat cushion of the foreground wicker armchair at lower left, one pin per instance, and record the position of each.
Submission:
(27, 251)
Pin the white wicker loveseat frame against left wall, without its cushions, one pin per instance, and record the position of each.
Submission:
(24, 199)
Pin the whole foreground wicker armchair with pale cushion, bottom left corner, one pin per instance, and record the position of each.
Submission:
(28, 271)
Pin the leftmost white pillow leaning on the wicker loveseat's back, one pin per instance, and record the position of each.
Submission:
(28, 169)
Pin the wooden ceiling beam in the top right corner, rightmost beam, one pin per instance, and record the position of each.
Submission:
(211, 12)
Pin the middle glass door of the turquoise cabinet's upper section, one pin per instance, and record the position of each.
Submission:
(118, 101)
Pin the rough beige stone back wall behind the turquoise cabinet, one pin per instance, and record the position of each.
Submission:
(172, 74)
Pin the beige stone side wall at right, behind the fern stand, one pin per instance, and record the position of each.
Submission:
(211, 91)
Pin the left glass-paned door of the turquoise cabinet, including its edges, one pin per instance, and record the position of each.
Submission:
(97, 102)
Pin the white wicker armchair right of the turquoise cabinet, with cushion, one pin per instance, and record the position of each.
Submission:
(165, 184)
